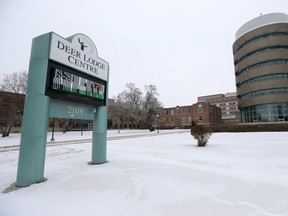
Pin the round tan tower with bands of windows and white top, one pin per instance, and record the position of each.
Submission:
(261, 68)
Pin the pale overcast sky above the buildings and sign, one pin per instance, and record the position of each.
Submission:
(183, 47)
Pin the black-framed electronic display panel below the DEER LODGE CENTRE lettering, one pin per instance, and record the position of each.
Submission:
(69, 84)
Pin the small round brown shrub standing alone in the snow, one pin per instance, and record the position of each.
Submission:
(201, 133)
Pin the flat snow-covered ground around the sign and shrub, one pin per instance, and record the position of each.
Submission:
(243, 174)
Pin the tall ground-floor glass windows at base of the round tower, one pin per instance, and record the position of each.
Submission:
(265, 113)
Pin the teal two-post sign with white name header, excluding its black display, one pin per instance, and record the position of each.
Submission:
(78, 53)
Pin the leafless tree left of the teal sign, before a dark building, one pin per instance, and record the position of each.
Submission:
(12, 106)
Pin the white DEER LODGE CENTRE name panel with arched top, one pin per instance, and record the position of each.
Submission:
(80, 53)
